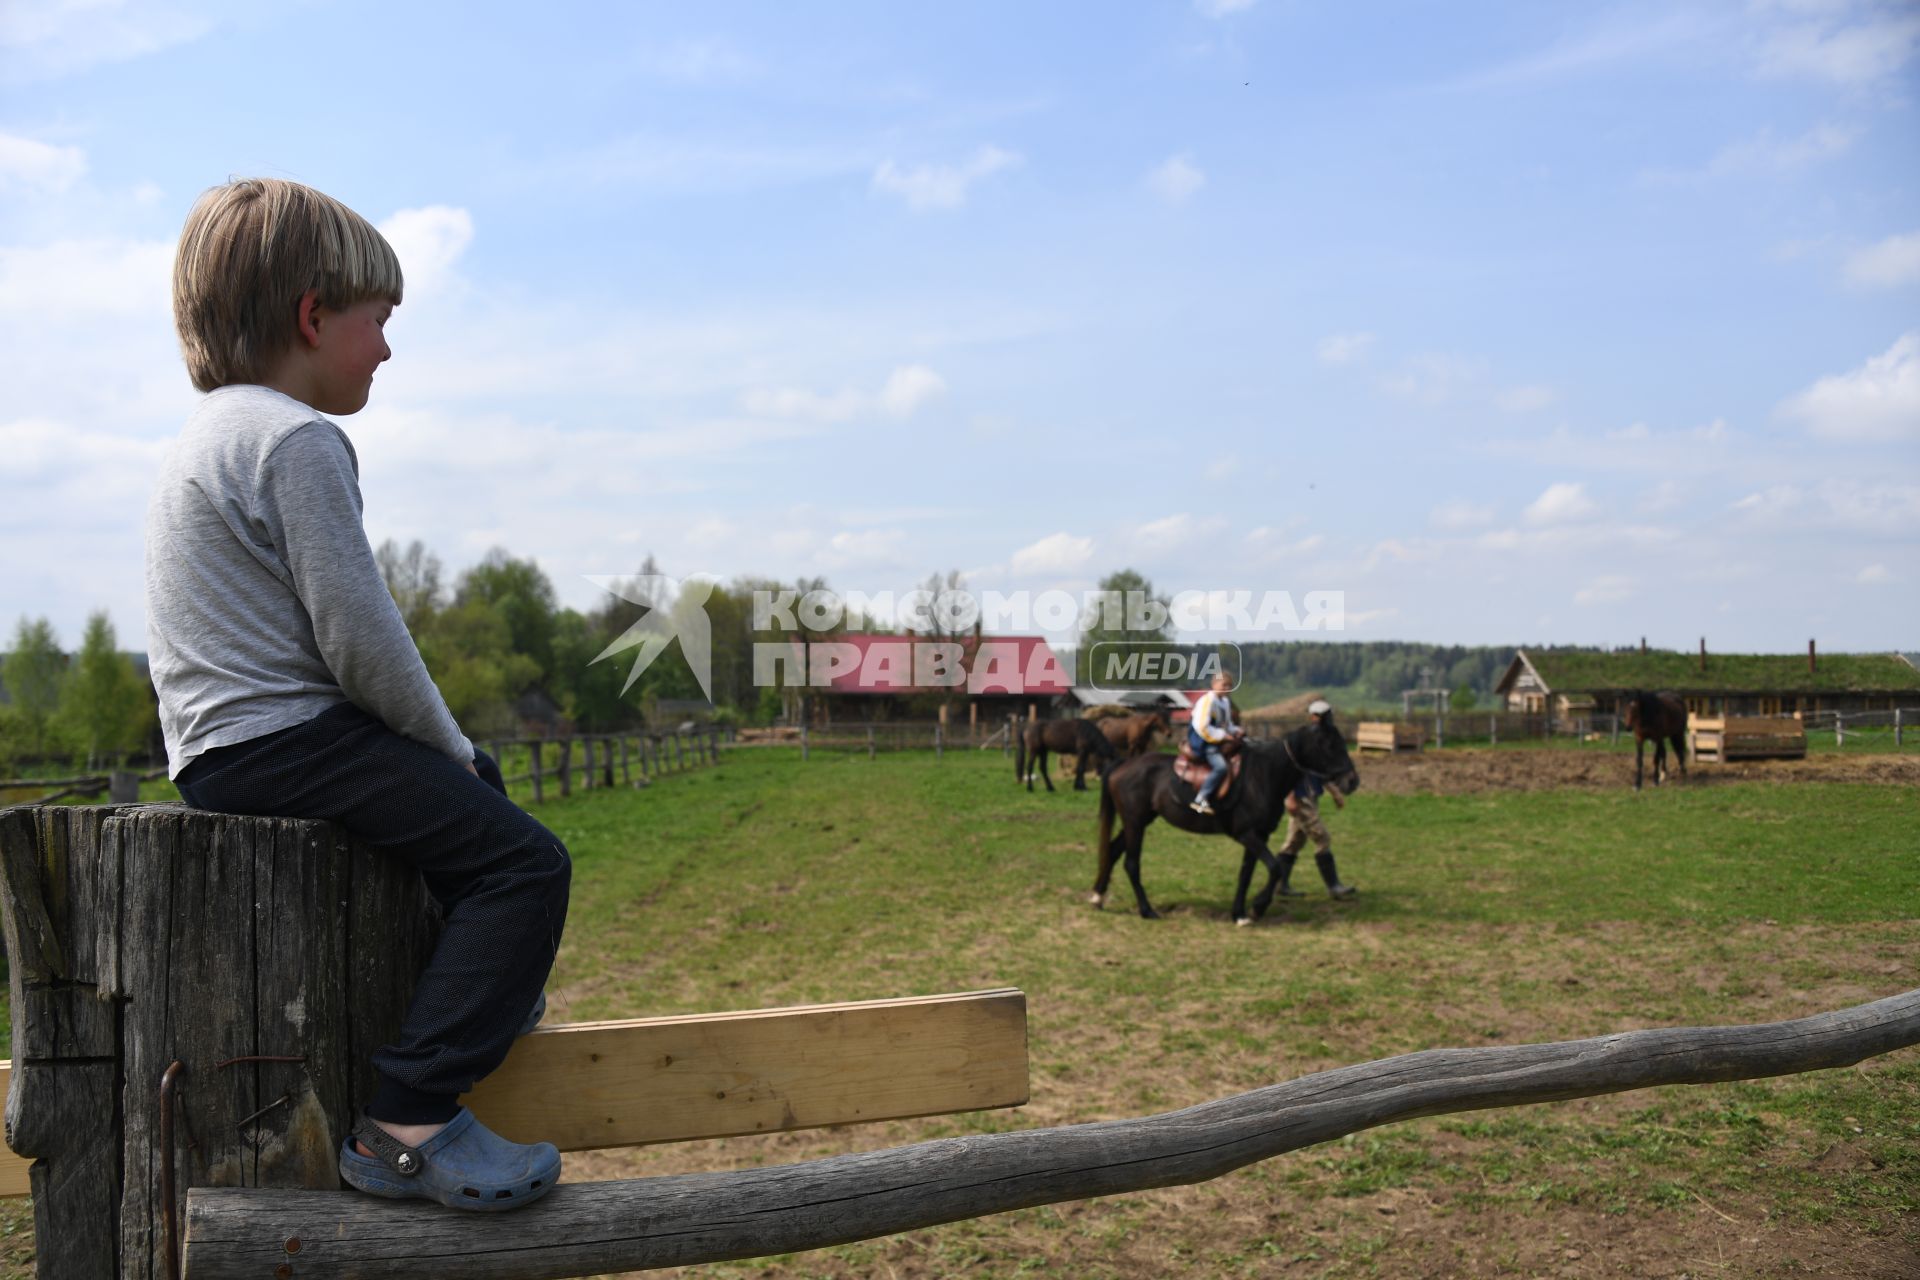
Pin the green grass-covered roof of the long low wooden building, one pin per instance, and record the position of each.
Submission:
(1573, 671)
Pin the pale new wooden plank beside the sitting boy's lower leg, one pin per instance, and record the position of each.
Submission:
(713, 1076)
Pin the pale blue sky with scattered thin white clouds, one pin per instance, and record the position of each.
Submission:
(1514, 323)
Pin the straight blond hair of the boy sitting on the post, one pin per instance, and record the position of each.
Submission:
(249, 252)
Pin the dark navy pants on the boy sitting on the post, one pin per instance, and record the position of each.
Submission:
(500, 880)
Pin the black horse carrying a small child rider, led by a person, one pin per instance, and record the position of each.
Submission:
(1145, 790)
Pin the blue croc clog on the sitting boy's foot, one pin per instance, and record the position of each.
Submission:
(466, 1166)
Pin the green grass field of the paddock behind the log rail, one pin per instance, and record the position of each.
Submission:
(1487, 918)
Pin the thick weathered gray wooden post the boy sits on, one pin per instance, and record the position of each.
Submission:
(112, 995)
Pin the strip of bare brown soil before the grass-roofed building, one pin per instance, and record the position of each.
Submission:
(1468, 770)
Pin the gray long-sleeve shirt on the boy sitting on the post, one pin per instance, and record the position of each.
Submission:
(264, 604)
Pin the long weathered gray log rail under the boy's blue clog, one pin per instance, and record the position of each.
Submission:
(679, 1221)
